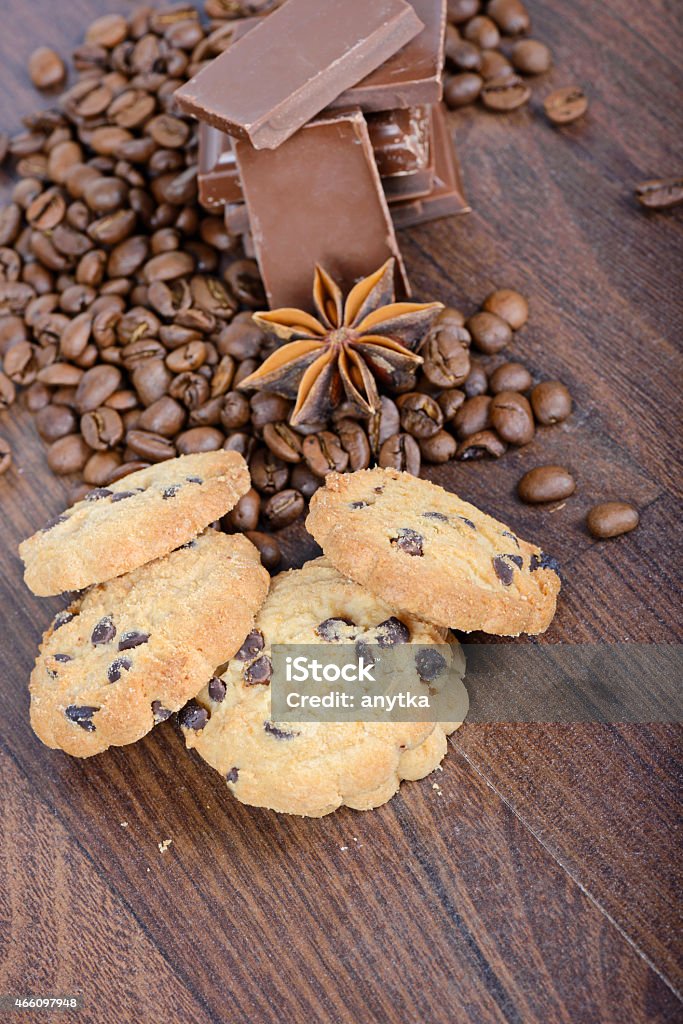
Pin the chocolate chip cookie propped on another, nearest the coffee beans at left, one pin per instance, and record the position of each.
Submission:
(142, 518)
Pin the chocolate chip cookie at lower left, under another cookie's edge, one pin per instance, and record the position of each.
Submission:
(131, 652)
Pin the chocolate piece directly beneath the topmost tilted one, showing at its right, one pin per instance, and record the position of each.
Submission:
(413, 76)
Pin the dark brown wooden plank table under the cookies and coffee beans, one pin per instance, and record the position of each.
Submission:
(540, 882)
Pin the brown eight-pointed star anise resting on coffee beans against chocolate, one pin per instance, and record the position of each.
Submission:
(348, 352)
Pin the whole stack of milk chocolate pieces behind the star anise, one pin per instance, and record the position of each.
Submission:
(322, 131)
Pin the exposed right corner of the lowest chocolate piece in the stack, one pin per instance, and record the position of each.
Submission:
(447, 196)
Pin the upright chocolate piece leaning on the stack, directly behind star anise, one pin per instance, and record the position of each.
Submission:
(318, 199)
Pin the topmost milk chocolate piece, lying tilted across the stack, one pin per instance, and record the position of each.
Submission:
(294, 63)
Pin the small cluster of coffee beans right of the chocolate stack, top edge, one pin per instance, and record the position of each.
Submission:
(486, 60)
